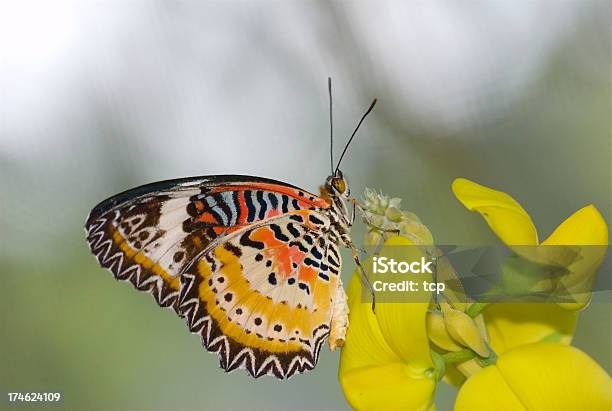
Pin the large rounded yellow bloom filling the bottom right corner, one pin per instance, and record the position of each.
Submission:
(541, 376)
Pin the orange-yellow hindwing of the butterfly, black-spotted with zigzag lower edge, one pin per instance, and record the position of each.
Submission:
(262, 297)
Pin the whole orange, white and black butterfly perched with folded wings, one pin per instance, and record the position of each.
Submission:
(252, 264)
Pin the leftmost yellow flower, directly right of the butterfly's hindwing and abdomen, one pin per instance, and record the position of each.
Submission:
(386, 362)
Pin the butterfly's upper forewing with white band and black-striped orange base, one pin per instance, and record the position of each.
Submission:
(149, 235)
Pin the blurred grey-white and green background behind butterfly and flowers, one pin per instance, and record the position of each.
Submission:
(98, 97)
